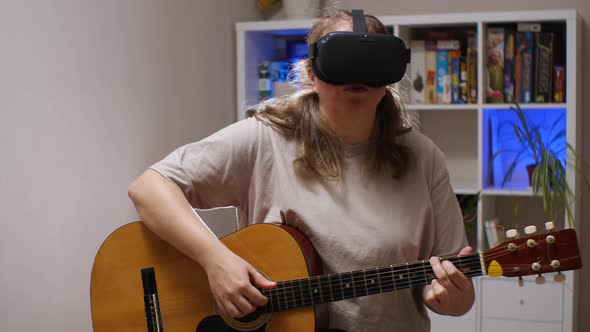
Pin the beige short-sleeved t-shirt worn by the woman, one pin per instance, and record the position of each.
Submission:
(354, 223)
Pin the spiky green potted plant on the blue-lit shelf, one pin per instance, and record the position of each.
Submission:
(544, 145)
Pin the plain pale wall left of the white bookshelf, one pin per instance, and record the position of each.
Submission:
(91, 93)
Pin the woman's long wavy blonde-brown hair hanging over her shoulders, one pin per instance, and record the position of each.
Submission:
(319, 151)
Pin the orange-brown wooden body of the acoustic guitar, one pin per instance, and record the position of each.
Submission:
(183, 300)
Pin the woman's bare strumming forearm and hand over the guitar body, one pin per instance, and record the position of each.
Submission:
(165, 210)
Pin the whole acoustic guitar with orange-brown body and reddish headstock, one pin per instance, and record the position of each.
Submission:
(141, 283)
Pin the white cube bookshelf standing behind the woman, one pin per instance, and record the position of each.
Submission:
(464, 131)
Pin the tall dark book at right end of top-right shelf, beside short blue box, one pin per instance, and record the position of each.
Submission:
(543, 66)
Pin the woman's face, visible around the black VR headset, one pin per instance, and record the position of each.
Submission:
(358, 96)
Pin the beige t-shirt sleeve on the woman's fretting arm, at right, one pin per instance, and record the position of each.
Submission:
(449, 234)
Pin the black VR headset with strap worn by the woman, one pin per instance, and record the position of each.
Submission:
(359, 57)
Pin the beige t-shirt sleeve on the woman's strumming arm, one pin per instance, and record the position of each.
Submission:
(215, 171)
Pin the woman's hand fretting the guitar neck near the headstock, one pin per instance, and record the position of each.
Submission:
(451, 293)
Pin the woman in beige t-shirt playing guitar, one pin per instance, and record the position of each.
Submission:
(341, 164)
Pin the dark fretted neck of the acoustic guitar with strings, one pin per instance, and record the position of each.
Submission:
(290, 294)
